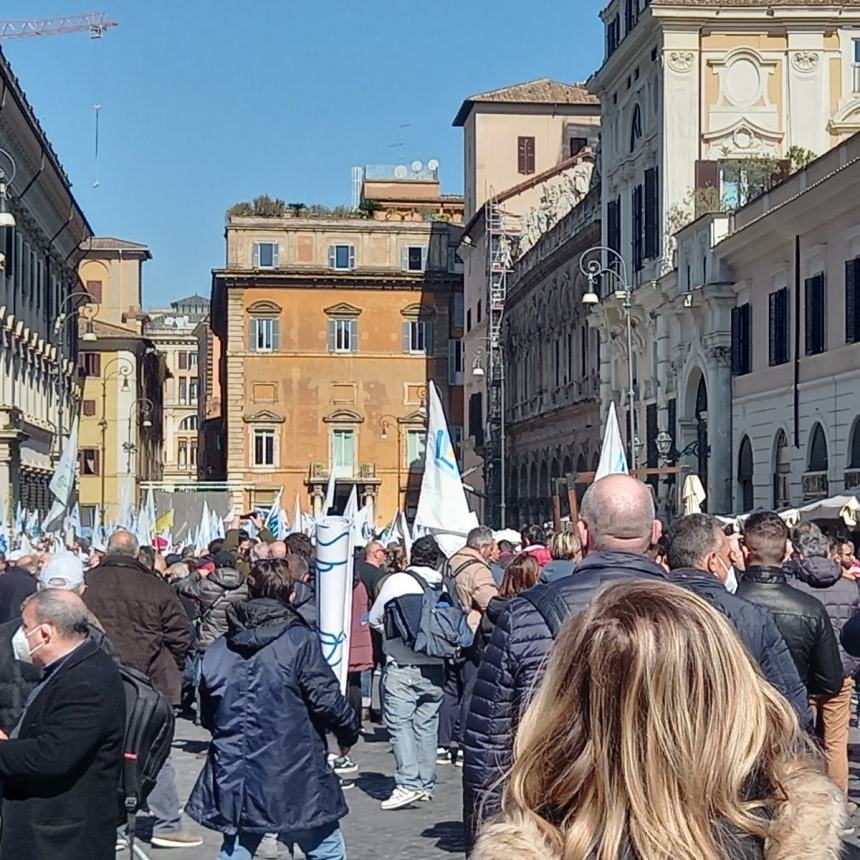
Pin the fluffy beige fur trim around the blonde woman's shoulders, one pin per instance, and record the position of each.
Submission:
(808, 827)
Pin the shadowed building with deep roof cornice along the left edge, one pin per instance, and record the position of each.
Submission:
(39, 294)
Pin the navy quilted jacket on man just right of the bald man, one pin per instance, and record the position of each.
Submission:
(757, 630)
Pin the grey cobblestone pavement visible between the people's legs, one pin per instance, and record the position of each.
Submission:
(425, 832)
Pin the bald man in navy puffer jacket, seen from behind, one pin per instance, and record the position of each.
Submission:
(617, 527)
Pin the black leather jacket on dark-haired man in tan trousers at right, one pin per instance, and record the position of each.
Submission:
(804, 624)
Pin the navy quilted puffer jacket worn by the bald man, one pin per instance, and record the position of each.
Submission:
(512, 662)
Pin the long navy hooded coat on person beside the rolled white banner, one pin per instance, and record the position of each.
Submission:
(268, 697)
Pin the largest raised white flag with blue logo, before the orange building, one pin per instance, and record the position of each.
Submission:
(442, 506)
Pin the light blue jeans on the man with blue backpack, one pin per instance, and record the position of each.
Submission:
(413, 696)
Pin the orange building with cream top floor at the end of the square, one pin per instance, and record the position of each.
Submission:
(330, 330)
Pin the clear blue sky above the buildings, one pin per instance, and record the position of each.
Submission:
(207, 102)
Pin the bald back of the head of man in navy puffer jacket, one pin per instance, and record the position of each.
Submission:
(619, 512)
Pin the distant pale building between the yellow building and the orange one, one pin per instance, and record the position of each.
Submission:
(172, 330)
